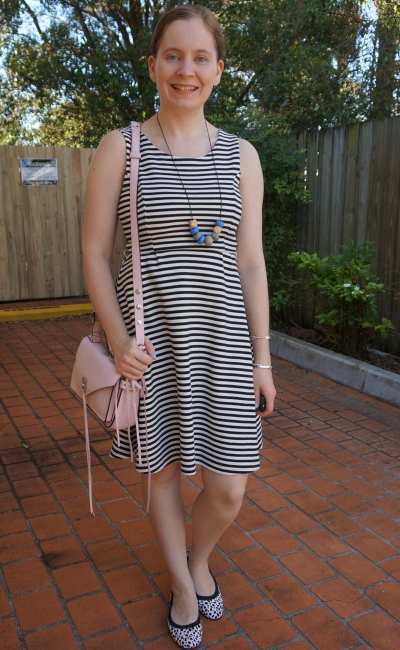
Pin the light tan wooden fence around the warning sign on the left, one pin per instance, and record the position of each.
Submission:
(41, 227)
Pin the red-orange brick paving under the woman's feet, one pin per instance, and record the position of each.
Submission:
(313, 560)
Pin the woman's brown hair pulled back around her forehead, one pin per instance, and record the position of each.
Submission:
(187, 12)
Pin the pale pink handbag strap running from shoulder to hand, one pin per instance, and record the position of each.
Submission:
(137, 272)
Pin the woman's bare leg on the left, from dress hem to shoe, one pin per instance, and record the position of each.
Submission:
(167, 518)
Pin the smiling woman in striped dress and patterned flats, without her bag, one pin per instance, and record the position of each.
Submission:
(205, 292)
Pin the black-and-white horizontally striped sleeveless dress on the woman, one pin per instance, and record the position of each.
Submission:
(200, 403)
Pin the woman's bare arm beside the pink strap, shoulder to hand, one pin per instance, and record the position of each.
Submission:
(103, 189)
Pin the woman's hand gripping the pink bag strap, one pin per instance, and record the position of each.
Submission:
(130, 360)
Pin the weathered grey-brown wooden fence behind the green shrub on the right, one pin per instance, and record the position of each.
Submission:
(353, 173)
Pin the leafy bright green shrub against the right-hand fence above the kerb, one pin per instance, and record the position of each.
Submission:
(344, 292)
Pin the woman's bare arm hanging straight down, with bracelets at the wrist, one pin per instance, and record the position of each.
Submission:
(252, 271)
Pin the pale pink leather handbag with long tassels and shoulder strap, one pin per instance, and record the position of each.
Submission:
(113, 399)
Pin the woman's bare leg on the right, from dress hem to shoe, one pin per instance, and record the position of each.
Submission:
(213, 511)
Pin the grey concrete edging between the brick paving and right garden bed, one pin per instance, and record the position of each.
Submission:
(367, 379)
